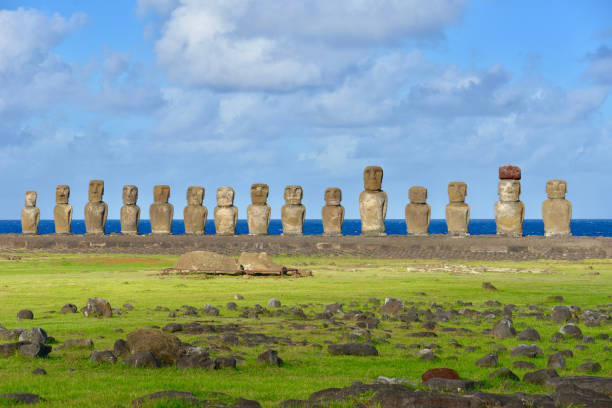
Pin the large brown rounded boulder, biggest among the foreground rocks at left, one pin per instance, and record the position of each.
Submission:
(164, 346)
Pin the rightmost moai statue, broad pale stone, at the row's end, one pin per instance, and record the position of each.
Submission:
(556, 211)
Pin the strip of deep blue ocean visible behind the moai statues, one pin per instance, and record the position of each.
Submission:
(350, 227)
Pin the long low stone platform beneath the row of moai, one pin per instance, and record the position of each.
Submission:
(479, 247)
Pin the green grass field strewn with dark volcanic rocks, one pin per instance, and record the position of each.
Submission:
(45, 282)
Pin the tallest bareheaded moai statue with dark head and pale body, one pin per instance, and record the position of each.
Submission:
(373, 202)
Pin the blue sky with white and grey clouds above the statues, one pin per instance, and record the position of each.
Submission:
(308, 92)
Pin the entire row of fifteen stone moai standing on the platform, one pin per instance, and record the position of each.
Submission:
(509, 210)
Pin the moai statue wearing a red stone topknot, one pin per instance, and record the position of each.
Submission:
(509, 210)
